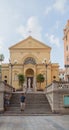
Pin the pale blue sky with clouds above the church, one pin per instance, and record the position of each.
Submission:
(45, 18)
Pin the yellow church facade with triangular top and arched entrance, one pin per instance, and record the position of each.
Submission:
(30, 57)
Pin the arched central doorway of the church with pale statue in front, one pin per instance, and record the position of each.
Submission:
(30, 78)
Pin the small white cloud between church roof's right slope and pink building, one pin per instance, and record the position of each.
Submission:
(52, 39)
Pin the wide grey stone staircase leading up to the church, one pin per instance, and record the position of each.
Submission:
(36, 103)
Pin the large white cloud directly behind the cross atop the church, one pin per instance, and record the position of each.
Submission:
(31, 25)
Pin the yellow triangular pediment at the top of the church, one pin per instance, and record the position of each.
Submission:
(29, 43)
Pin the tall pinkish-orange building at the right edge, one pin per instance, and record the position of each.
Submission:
(66, 50)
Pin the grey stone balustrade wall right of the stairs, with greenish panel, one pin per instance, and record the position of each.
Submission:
(55, 93)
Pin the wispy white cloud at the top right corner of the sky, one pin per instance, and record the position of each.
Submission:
(58, 5)
